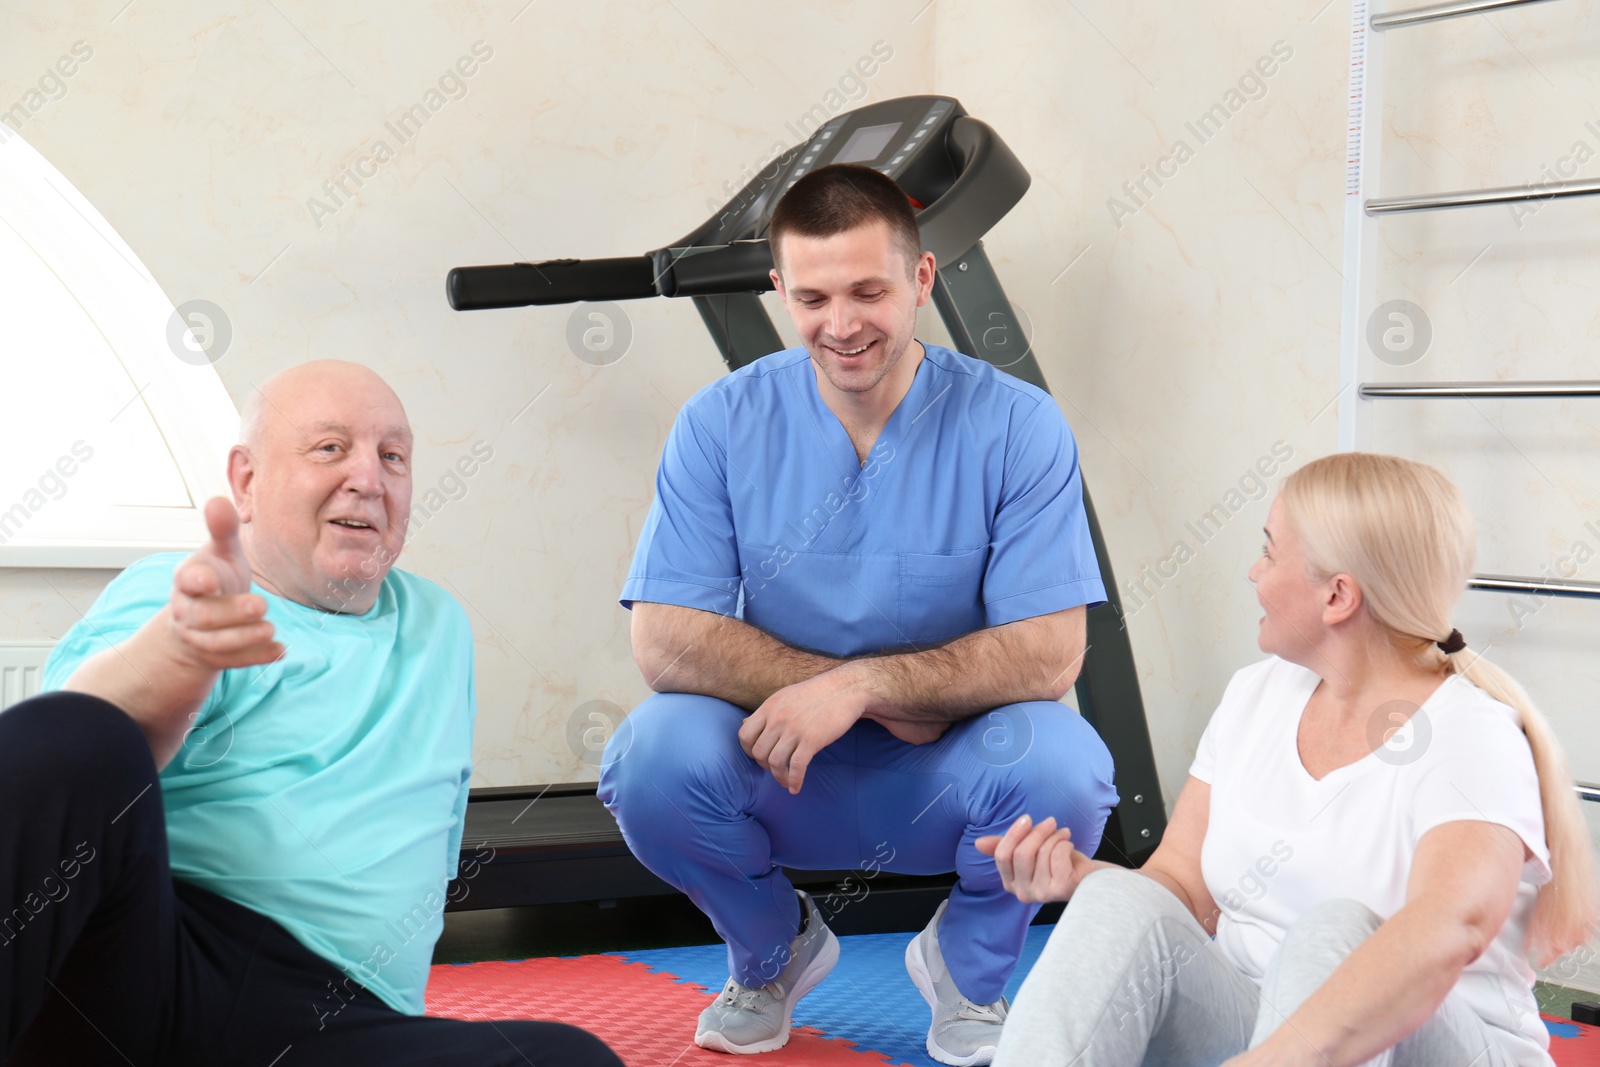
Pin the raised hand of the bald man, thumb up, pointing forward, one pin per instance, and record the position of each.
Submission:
(215, 618)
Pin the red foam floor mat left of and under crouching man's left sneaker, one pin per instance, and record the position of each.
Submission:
(649, 1018)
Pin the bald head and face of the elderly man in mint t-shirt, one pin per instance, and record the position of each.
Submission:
(324, 486)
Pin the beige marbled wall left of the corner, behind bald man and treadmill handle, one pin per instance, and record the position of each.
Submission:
(206, 134)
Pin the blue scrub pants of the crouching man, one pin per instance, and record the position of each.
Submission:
(713, 823)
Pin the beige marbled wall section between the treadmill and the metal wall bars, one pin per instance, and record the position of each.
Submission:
(1183, 279)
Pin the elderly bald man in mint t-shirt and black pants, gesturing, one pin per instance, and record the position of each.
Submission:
(228, 837)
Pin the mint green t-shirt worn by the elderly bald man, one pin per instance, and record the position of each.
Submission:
(326, 791)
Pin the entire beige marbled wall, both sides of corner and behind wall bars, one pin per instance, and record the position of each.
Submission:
(1183, 279)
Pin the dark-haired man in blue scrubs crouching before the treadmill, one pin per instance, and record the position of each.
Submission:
(860, 596)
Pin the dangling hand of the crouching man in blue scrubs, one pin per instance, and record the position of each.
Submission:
(798, 722)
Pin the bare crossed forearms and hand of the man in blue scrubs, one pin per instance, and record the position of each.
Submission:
(806, 701)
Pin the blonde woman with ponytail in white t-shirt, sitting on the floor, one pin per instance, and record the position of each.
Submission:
(1378, 829)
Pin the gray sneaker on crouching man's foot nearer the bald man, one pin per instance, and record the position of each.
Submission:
(745, 1020)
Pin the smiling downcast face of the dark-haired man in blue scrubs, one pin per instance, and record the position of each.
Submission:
(854, 298)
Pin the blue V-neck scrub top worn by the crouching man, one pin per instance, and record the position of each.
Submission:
(967, 513)
